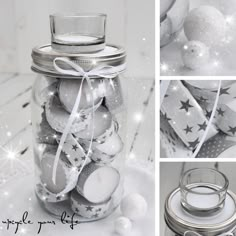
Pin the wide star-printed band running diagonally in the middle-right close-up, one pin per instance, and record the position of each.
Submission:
(180, 109)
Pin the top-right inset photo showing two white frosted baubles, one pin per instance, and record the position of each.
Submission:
(197, 38)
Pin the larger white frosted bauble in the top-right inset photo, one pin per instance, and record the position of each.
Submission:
(205, 24)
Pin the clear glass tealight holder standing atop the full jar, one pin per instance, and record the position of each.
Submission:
(78, 33)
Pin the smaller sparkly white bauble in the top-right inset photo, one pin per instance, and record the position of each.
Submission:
(195, 54)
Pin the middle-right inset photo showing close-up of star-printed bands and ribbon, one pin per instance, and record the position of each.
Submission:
(198, 119)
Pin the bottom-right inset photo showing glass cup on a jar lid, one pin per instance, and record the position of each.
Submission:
(197, 199)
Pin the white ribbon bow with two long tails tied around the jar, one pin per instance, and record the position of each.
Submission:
(103, 71)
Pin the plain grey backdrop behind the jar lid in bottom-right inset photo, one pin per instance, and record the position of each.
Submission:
(170, 174)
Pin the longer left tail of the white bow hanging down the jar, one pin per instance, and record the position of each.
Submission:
(66, 131)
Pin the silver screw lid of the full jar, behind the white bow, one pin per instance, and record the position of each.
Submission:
(43, 57)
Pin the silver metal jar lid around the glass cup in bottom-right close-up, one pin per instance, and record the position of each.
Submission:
(180, 221)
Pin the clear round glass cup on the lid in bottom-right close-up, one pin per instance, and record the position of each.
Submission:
(203, 191)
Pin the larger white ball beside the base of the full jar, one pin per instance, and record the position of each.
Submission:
(134, 206)
